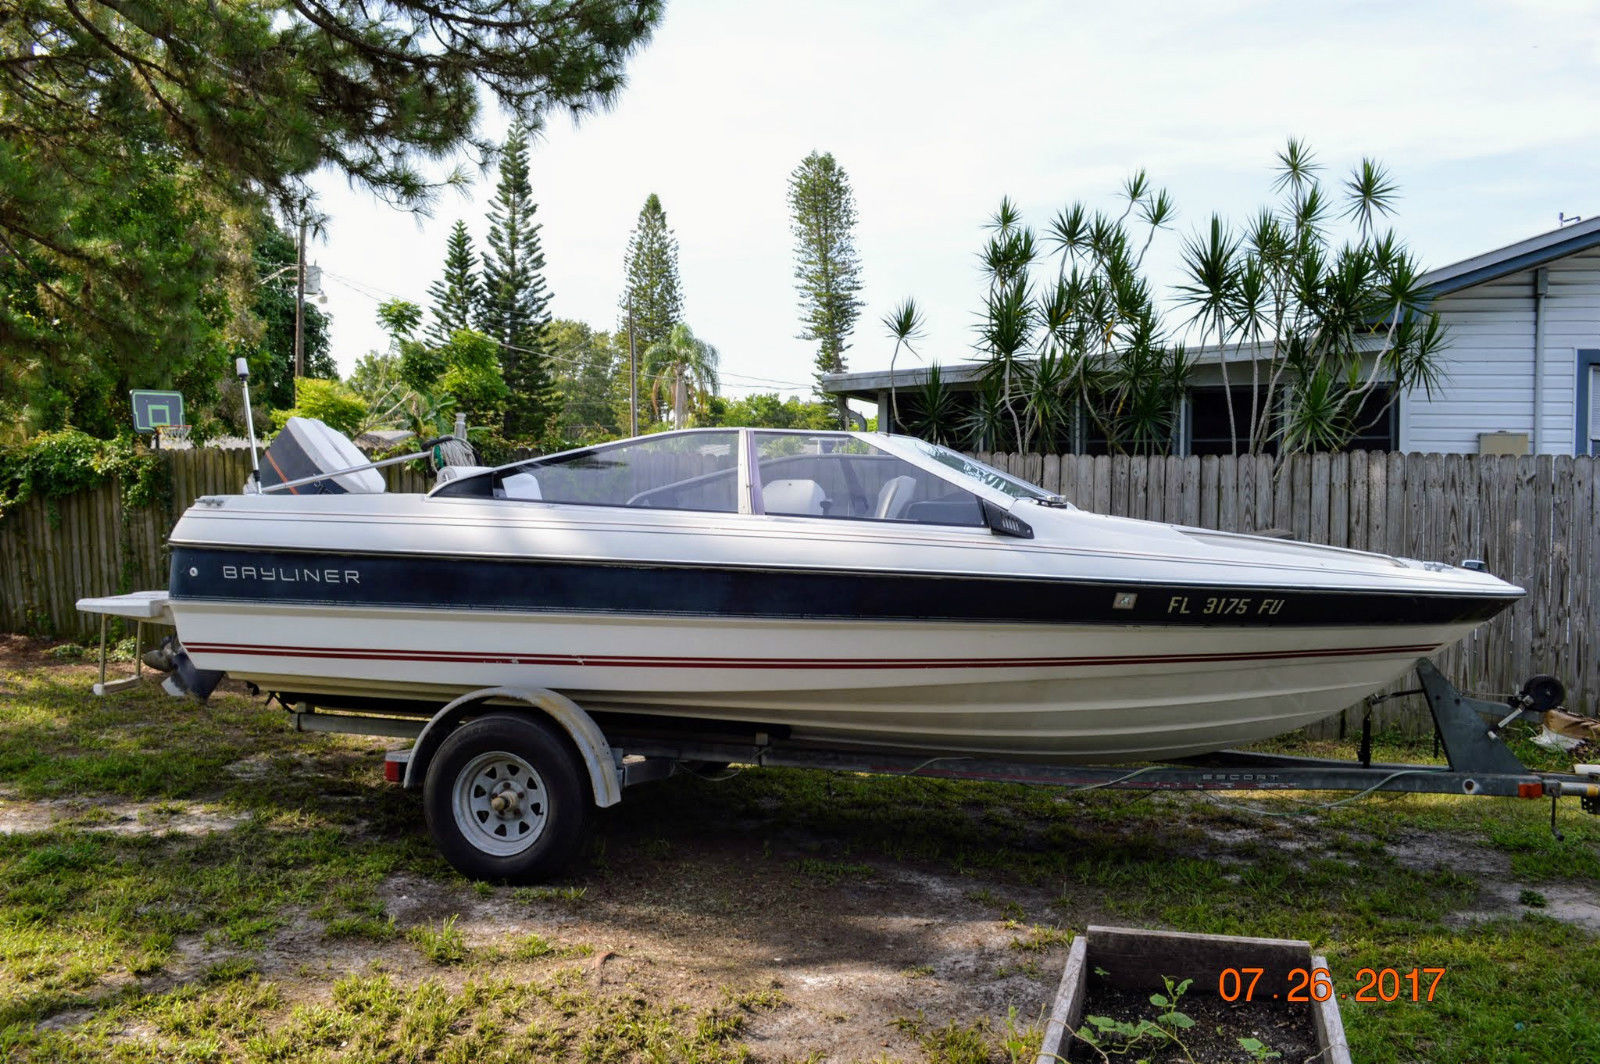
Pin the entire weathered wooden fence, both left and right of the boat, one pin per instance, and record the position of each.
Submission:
(1532, 521)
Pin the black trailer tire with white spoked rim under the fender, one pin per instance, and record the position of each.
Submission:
(505, 799)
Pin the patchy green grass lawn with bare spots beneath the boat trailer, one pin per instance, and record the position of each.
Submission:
(202, 884)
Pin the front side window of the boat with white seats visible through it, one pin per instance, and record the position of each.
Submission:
(846, 478)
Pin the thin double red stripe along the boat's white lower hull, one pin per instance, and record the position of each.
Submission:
(630, 662)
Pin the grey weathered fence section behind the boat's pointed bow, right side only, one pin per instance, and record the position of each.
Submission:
(1534, 521)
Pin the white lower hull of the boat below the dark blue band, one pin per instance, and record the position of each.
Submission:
(1070, 694)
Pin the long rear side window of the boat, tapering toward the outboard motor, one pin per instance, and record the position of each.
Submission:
(676, 471)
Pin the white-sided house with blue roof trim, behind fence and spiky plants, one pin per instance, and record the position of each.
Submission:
(1521, 367)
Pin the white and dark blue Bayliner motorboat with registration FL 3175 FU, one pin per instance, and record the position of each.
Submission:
(846, 588)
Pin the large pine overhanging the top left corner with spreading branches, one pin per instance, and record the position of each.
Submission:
(135, 142)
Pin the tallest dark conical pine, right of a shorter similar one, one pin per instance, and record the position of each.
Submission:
(516, 298)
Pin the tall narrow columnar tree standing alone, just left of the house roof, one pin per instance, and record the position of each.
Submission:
(828, 270)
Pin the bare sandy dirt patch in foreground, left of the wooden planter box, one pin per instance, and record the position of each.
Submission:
(852, 959)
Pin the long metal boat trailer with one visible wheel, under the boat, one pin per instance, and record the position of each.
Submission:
(462, 758)
